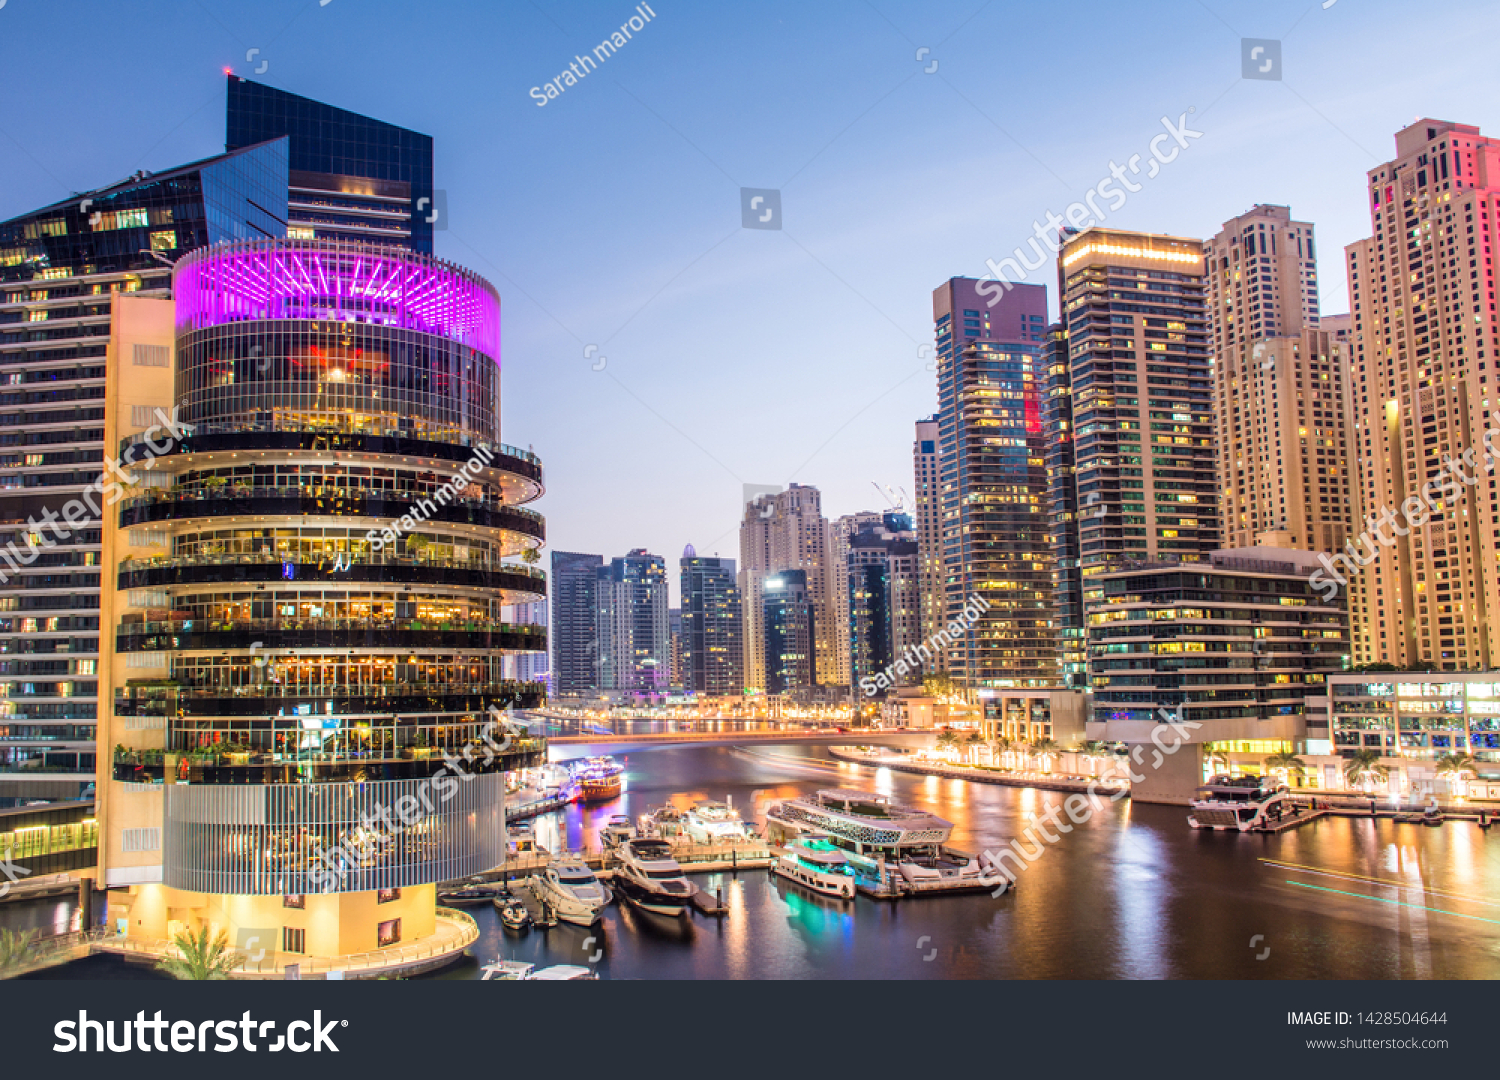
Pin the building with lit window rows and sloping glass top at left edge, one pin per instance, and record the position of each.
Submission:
(62, 271)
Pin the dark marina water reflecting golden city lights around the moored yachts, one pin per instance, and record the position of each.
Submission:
(1135, 893)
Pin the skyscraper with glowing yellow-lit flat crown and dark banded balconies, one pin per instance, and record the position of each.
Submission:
(1142, 389)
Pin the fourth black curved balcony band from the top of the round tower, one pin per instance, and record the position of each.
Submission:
(203, 635)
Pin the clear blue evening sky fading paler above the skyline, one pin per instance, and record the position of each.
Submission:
(611, 215)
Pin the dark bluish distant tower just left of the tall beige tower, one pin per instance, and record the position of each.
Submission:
(713, 626)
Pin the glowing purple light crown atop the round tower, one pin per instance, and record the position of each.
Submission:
(335, 283)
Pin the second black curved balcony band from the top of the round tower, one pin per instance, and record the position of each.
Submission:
(238, 502)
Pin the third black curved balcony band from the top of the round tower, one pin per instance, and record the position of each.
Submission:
(523, 583)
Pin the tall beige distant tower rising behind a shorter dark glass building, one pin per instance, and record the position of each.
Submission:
(787, 532)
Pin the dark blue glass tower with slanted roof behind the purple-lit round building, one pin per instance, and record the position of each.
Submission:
(352, 178)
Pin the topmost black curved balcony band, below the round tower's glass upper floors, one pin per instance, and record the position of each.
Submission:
(394, 442)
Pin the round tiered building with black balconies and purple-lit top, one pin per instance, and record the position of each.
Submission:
(302, 611)
